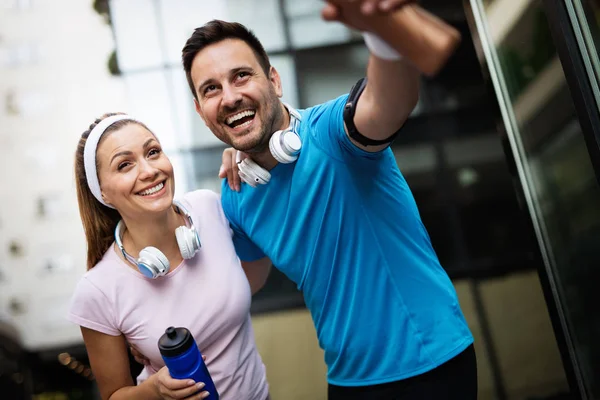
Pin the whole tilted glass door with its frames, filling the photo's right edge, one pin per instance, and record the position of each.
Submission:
(542, 62)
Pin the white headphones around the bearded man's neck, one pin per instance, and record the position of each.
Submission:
(284, 146)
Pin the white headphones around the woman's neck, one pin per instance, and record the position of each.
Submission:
(151, 262)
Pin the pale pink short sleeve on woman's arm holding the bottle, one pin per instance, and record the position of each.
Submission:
(91, 309)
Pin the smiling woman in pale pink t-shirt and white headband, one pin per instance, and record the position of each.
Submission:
(192, 278)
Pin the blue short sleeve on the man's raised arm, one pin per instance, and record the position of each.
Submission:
(326, 124)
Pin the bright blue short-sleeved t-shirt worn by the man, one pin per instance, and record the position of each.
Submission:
(343, 225)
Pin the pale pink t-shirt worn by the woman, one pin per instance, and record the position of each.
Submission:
(208, 294)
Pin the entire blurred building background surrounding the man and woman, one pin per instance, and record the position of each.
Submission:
(502, 154)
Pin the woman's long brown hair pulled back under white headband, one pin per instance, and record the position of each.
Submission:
(99, 221)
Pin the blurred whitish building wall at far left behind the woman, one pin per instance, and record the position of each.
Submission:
(54, 82)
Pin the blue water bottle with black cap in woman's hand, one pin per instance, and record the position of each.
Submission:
(183, 359)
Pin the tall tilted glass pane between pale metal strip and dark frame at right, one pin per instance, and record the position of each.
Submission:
(554, 165)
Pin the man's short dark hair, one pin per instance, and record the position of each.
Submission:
(213, 32)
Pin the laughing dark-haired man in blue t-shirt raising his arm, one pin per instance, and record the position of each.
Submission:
(327, 205)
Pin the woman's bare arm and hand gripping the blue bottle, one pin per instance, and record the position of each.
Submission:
(110, 365)
